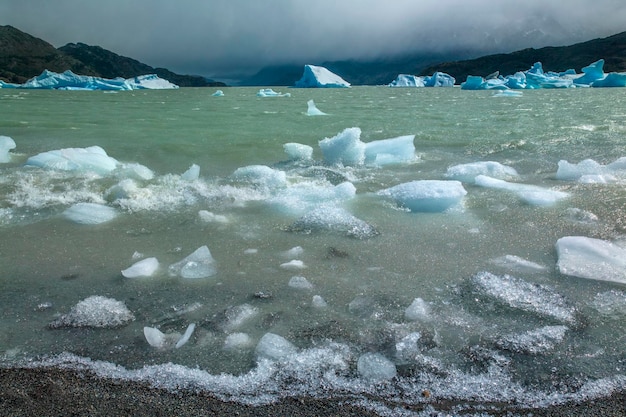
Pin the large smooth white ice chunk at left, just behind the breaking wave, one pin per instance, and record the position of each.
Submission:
(92, 158)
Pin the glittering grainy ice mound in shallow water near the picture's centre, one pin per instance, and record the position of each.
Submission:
(333, 219)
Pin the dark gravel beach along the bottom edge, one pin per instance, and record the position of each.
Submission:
(62, 392)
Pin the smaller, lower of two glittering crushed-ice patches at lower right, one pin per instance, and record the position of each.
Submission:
(534, 342)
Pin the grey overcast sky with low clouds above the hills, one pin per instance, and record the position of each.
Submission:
(219, 37)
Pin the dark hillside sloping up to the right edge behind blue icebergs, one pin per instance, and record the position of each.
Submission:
(612, 49)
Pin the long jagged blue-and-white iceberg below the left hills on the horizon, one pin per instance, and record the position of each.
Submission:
(69, 81)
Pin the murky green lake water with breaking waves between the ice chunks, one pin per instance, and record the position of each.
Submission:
(459, 346)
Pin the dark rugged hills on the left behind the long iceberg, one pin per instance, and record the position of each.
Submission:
(23, 56)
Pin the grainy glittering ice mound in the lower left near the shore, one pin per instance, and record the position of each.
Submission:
(96, 311)
